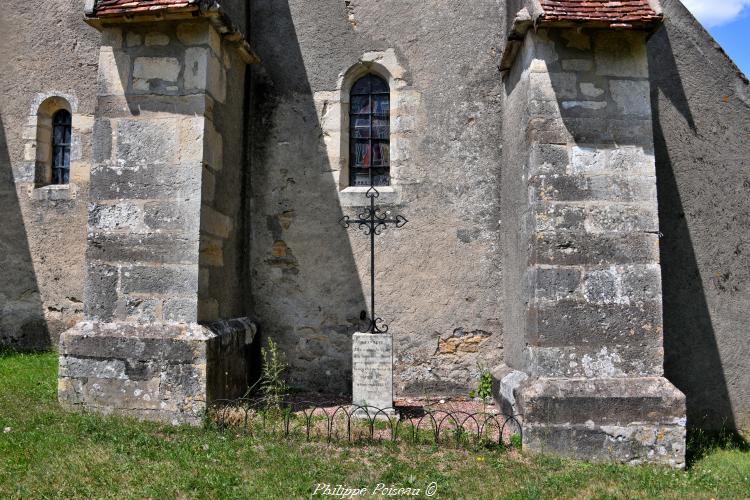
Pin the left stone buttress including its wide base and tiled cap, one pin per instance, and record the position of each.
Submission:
(164, 220)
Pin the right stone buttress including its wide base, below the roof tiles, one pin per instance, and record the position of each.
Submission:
(583, 326)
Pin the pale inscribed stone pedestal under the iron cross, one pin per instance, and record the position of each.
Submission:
(372, 373)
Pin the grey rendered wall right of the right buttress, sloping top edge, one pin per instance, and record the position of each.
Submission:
(701, 109)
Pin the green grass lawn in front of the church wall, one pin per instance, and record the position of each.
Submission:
(49, 453)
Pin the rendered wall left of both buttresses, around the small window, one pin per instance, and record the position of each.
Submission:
(47, 49)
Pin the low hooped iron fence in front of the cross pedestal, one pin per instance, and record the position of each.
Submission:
(313, 420)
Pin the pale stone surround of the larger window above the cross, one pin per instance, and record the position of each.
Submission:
(333, 113)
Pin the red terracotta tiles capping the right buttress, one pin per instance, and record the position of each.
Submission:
(608, 11)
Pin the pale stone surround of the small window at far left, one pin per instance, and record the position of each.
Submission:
(38, 146)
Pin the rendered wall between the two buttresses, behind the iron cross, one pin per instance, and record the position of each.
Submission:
(439, 277)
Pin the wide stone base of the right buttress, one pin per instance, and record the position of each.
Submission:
(629, 420)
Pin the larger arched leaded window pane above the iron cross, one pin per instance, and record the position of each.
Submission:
(370, 134)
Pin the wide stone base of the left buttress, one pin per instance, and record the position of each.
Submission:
(164, 372)
